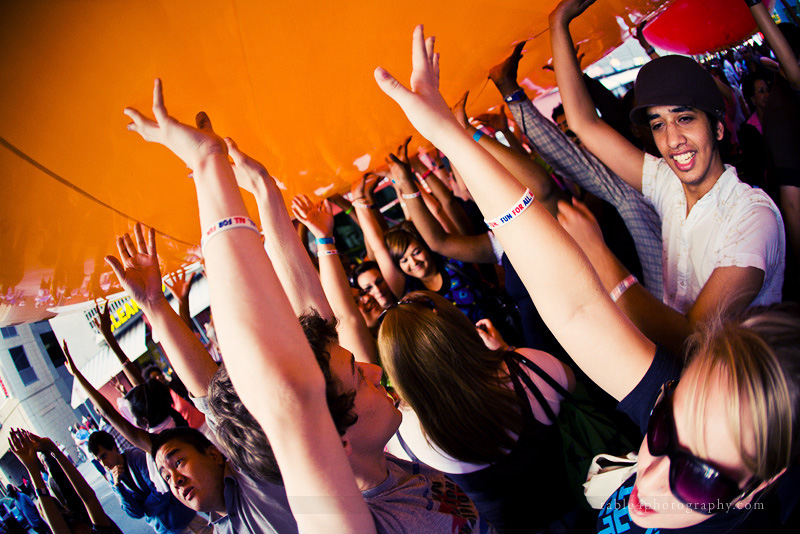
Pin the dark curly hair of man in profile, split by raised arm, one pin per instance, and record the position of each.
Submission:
(242, 437)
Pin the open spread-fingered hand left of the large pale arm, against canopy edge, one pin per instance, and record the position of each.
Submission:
(138, 270)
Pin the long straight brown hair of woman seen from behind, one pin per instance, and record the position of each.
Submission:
(458, 388)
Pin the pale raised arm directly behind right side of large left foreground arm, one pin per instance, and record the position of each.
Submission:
(289, 258)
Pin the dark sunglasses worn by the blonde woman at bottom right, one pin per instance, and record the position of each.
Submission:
(692, 480)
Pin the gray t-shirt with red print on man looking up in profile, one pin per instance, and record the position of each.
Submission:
(415, 498)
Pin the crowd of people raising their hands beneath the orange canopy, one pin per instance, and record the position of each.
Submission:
(420, 388)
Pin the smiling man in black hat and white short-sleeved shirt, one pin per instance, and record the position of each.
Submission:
(724, 243)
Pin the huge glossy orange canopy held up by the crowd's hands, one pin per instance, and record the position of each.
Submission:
(290, 81)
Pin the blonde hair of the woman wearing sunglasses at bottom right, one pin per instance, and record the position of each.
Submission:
(757, 358)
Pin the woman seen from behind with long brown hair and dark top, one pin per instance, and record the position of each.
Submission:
(467, 413)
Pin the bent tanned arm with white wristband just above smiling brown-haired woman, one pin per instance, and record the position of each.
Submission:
(467, 248)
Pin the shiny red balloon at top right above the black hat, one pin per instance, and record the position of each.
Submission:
(698, 26)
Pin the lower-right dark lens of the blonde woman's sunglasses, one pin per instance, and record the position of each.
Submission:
(699, 485)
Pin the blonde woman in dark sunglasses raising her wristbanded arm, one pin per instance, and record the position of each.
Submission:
(726, 432)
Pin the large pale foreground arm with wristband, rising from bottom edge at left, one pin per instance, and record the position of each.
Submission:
(273, 369)
